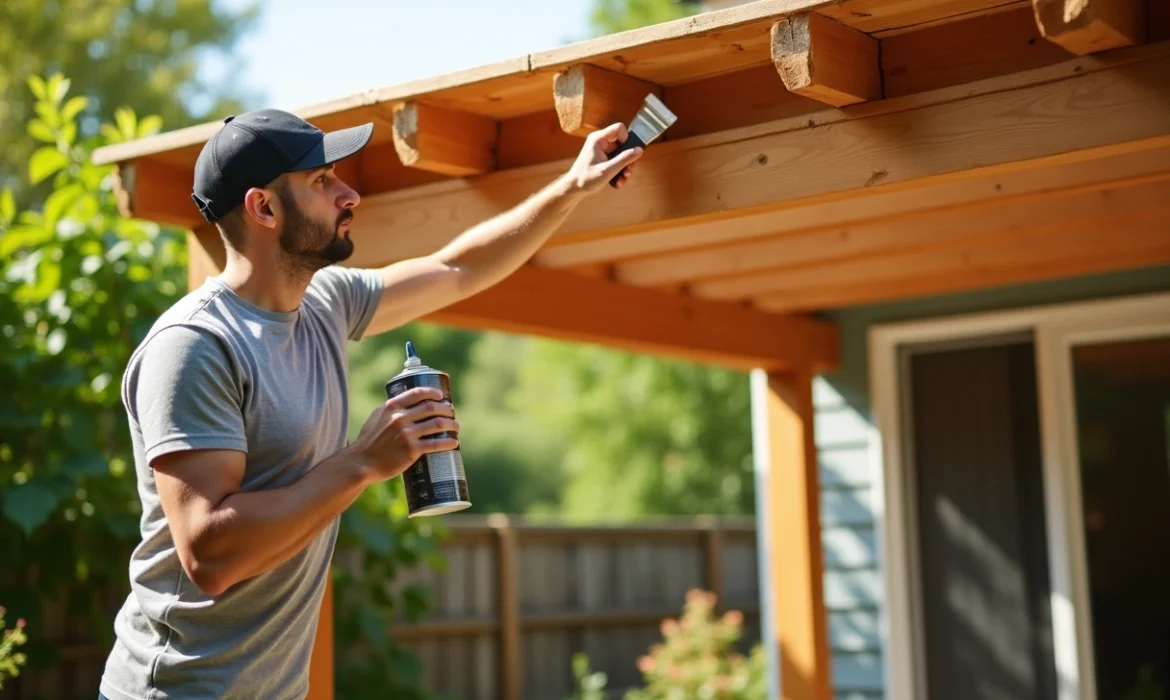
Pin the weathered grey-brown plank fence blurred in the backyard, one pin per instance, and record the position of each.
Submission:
(517, 601)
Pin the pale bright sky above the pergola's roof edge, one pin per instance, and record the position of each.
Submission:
(301, 53)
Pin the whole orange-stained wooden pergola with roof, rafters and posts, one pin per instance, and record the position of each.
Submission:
(828, 154)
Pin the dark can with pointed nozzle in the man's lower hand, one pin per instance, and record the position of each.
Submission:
(436, 483)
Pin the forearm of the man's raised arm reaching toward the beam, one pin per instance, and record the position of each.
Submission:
(493, 250)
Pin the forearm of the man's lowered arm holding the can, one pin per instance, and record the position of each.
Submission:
(251, 533)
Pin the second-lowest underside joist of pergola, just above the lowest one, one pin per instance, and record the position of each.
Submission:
(934, 229)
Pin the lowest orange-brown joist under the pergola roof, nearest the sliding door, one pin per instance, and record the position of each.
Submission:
(1141, 244)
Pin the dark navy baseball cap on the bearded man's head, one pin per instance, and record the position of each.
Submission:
(253, 149)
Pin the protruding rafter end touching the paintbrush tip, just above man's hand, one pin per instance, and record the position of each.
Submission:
(589, 98)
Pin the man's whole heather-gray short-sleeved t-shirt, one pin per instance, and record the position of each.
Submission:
(219, 373)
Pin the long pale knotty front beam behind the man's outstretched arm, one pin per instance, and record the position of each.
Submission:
(1076, 112)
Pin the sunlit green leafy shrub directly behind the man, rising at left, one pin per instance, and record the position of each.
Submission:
(80, 287)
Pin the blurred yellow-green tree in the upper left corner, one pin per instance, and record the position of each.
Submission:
(137, 54)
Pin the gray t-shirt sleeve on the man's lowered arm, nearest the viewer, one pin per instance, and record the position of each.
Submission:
(184, 395)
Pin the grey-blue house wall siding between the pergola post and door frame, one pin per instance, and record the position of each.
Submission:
(854, 585)
